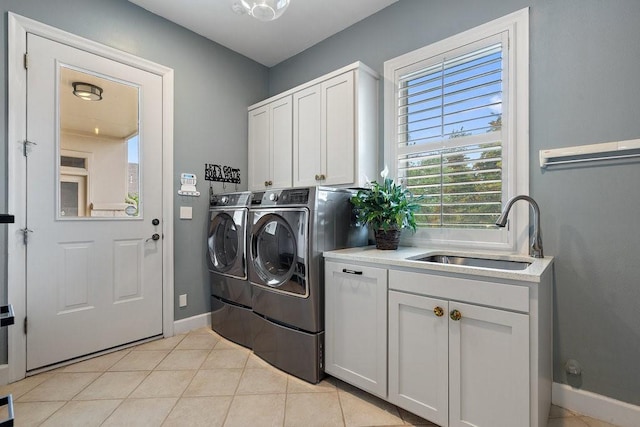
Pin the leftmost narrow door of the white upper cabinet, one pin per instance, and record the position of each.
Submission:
(259, 148)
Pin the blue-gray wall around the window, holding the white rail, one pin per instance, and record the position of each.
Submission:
(584, 89)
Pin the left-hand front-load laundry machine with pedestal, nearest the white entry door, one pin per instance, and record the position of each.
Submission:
(227, 261)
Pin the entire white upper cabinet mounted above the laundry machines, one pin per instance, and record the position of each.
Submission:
(333, 132)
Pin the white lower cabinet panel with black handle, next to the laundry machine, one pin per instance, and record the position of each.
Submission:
(356, 325)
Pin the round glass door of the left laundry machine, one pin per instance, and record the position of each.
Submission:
(226, 245)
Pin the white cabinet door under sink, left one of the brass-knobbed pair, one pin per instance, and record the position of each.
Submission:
(418, 355)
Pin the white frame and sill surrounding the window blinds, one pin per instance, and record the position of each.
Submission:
(515, 132)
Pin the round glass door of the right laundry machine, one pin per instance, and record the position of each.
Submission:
(278, 251)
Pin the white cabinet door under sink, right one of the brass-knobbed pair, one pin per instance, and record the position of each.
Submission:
(488, 367)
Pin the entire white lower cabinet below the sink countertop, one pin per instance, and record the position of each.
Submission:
(462, 350)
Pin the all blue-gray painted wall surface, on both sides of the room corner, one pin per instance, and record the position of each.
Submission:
(584, 60)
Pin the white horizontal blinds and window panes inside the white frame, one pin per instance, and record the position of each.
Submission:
(449, 137)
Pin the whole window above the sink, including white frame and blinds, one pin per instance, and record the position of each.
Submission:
(456, 126)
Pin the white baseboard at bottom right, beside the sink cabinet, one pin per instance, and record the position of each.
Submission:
(595, 405)
